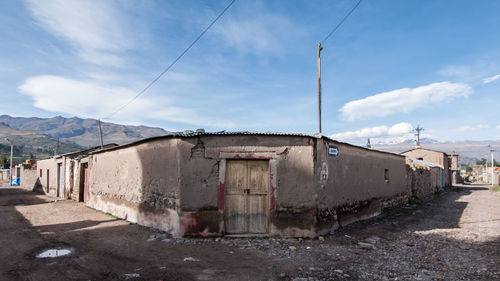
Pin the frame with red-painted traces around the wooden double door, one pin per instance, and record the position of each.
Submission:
(271, 156)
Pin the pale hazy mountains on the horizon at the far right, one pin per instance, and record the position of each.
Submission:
(469, 151)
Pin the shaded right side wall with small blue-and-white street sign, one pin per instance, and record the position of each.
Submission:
(356, 183)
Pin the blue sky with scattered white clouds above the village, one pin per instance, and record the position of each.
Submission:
(391, 66)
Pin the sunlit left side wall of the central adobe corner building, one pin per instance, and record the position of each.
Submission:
(139, 183)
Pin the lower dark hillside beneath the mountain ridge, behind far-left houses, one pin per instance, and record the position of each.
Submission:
(30, 144)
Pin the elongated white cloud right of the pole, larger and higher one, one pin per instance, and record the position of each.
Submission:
(403, 100)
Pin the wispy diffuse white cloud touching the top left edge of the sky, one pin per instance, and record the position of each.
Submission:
(94, 28)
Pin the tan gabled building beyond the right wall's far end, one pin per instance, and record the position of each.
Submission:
(448, 163)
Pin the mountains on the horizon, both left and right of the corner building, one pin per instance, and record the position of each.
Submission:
(40, 135)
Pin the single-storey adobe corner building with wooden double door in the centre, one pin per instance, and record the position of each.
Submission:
(212, 184)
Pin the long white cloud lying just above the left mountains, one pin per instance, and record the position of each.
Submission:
(91, 99)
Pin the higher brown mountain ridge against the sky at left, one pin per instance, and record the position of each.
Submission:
(84, 132)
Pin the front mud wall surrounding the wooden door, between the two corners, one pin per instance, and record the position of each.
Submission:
(291, 195)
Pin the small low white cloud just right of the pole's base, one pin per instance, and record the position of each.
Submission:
(399, 129)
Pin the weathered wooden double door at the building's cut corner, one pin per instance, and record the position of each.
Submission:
(247, 197)
